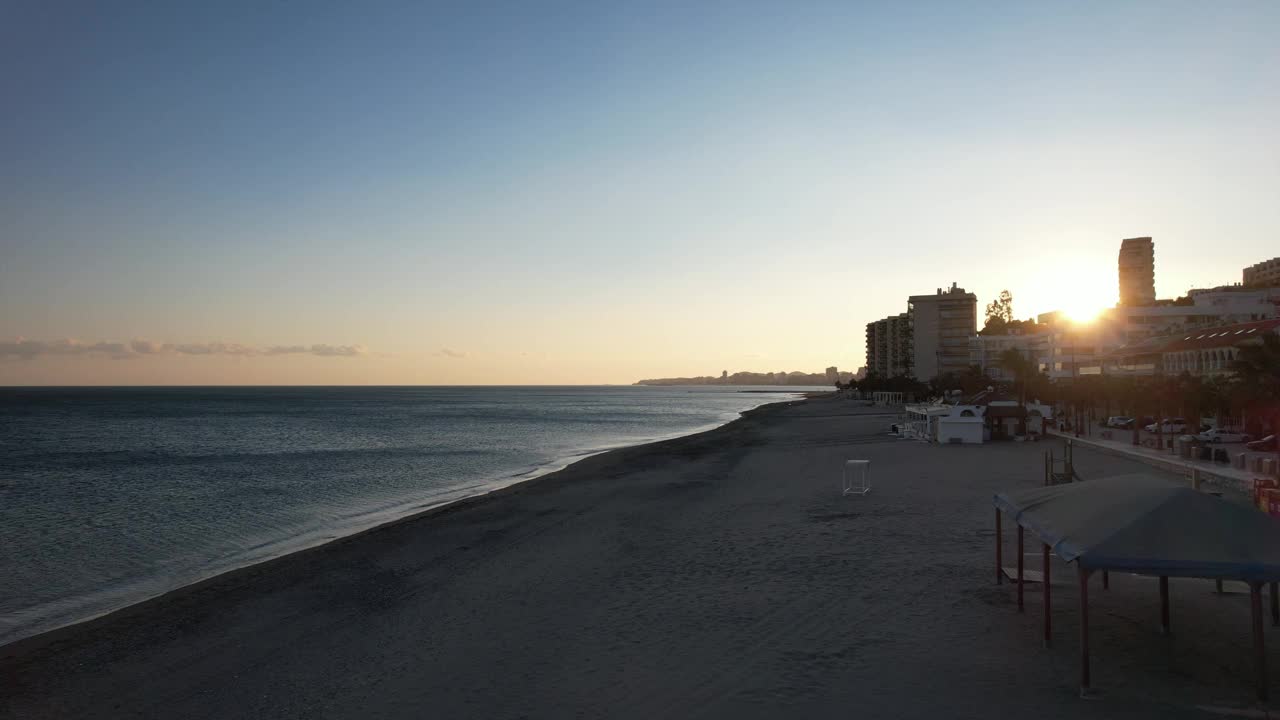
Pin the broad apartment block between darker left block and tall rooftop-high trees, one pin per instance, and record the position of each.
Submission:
(941, 327)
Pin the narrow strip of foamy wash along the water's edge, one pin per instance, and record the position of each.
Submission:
(28, 644)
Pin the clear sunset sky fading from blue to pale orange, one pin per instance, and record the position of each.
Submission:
(597, 193)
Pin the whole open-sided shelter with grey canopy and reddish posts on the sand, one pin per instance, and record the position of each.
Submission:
(1148, 526)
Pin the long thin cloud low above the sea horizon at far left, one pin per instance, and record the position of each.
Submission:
(30, 349)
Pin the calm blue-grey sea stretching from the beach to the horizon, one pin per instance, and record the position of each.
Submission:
(109, 496)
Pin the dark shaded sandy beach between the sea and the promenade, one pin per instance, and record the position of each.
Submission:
(716, 576)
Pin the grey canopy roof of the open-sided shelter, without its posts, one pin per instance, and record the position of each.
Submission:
(1146, 525)
